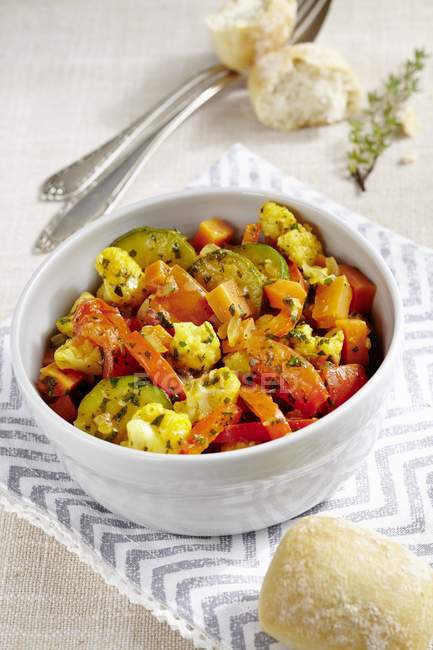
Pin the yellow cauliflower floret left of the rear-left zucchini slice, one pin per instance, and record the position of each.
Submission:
(122, 278)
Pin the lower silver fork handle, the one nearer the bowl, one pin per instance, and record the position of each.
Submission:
(98, 199)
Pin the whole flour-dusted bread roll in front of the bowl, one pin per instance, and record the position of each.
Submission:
(332, 585)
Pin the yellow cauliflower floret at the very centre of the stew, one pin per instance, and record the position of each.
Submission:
(195, 346)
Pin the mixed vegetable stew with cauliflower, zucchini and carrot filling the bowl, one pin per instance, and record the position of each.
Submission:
(211, 345)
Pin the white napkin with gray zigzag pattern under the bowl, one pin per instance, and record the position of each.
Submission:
(207, 588)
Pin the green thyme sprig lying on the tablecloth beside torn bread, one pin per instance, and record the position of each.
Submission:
(379, 124)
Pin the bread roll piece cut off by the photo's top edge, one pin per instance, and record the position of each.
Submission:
(246, 29)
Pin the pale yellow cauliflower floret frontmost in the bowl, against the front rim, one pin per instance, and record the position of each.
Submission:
(155, 428)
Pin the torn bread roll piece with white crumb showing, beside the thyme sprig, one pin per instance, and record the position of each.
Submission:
(303, 85)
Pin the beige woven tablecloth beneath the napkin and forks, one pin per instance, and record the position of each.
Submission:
(73, 73)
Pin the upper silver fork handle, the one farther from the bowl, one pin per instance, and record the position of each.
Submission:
(80, 175)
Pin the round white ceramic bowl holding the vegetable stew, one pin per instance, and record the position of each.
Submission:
(221, 493)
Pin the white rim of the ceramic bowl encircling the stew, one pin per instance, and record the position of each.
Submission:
(38, 405)
